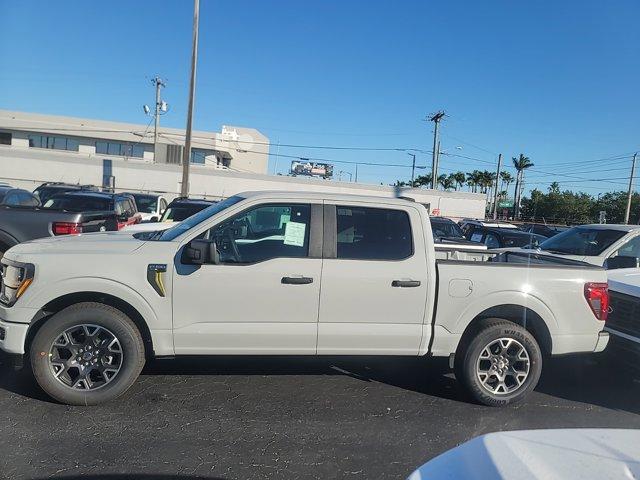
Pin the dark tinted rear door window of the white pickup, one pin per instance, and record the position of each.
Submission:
(365, 233)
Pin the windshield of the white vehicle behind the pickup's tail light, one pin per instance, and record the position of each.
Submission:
(582, 241)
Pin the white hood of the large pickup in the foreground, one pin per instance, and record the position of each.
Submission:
(91, 243)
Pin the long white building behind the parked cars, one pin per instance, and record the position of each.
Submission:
(38, 148)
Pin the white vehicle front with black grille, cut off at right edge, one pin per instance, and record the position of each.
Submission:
(624, 316)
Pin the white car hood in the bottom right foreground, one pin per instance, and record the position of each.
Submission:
(596, 454)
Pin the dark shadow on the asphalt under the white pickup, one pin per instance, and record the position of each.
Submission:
(600, 380)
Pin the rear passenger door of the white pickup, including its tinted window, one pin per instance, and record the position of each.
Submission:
(374, 280)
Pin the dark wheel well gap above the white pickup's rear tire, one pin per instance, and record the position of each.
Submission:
(523, 316)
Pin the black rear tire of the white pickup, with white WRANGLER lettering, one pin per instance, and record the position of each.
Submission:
(467, 363)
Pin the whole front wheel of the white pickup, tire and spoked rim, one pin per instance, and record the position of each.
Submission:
(86, 354)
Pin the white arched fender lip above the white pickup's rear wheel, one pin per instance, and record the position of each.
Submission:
(525, 300)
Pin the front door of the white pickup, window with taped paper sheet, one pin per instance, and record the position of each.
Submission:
(262, 297)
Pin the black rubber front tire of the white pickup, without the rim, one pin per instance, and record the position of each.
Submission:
(130, 344)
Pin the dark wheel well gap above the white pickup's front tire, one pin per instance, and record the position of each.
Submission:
(65, 301)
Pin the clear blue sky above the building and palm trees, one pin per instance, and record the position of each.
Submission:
(556, 80)
